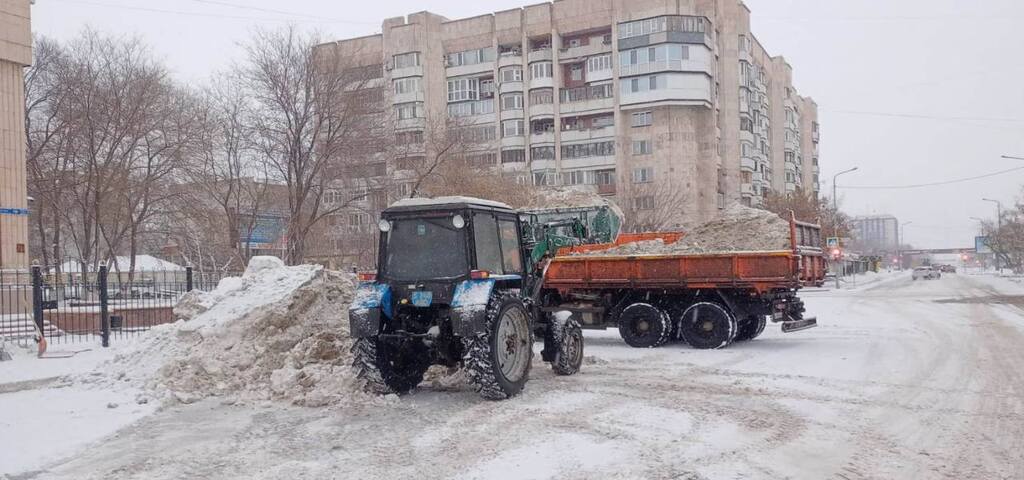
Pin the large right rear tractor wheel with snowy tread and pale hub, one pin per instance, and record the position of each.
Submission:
(498, 360)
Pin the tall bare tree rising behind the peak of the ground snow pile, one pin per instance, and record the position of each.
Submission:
(308, 116)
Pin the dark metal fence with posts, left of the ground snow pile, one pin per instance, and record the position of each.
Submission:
(101, 306)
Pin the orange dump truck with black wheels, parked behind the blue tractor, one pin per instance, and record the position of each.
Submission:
(708, 300)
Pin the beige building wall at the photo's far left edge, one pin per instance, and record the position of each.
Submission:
(16, 54)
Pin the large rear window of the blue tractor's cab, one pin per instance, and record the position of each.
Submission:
(424, 249)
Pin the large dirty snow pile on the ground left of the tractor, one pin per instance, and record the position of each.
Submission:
(277, 333)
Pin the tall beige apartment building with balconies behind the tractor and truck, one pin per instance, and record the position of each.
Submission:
(634, 100)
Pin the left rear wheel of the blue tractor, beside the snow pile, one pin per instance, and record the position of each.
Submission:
(391, 367)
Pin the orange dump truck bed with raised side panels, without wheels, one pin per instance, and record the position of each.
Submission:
(585, 268)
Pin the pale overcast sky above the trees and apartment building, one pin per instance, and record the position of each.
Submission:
(911, 92)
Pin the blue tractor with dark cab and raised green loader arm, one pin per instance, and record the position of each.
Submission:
(458, 284)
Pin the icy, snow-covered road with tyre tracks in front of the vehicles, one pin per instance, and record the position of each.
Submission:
(904, 380)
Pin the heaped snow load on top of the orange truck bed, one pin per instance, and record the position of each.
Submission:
(739, 229)
